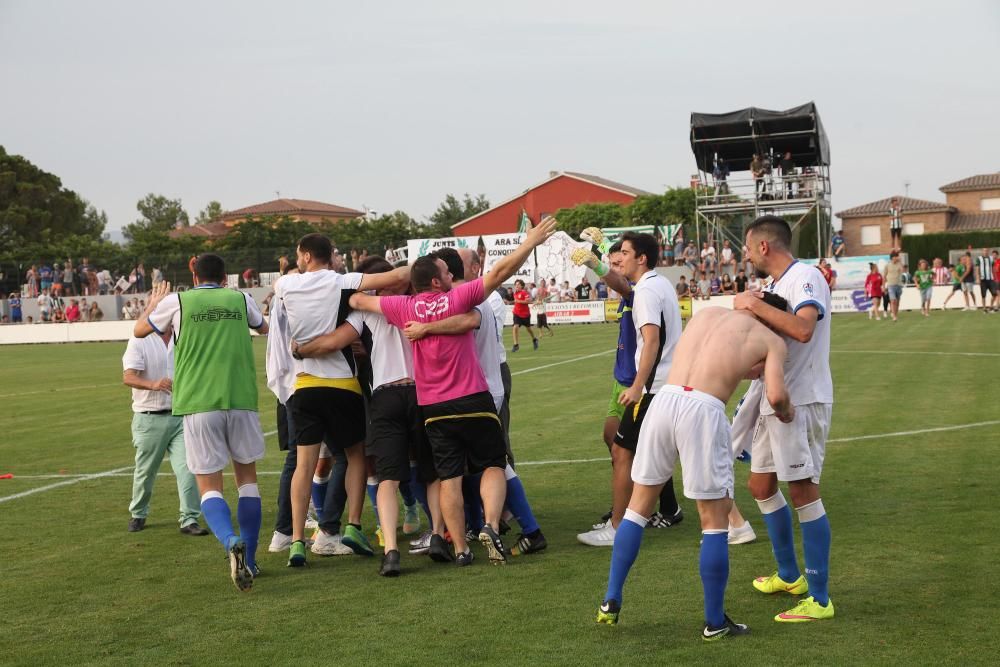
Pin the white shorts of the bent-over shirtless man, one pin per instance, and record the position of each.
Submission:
(691, 425)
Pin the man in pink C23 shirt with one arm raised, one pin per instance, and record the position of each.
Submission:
(459, 414)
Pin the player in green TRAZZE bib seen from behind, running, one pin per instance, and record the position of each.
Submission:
(215, 390)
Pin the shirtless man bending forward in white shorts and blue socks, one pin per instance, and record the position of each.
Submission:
(687, 420)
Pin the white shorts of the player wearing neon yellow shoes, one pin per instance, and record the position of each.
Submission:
(796, 450)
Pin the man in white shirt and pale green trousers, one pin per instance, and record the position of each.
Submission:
(149, 366)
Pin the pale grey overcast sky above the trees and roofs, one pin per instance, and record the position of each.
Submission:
(392, 105)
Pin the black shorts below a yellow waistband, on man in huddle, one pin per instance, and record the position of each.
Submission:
(327, 414)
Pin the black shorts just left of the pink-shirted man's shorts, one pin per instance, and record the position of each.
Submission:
(395, 428)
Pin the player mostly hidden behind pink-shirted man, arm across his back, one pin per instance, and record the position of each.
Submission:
(489, 347)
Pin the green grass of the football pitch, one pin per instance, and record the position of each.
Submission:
(913, 570)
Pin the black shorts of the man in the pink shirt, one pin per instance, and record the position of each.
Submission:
(465, 435)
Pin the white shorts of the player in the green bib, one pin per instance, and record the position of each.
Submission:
(211, 439)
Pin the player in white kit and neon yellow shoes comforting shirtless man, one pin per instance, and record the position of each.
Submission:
(793, 452)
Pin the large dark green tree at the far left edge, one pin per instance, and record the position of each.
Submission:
(36, 209)
